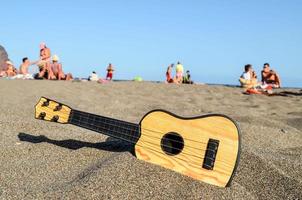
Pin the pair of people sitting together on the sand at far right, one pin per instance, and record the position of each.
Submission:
(269, 79)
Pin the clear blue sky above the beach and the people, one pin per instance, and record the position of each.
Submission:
(214, 39)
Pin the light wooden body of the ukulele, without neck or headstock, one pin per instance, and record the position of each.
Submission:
(195, 134)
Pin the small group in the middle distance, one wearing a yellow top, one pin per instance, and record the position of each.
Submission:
(179, 77)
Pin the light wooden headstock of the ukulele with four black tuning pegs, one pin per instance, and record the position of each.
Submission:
(53, 111)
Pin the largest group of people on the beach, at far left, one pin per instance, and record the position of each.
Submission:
(49, 67)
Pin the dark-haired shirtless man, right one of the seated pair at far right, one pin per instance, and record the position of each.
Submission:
(270, 77)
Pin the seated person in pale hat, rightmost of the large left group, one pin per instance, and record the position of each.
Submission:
(56, 71)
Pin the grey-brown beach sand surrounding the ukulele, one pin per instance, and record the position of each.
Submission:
(42, 160)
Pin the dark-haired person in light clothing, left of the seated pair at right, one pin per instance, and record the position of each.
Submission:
(249, 78)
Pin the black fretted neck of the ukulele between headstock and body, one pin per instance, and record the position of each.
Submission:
(122, 130)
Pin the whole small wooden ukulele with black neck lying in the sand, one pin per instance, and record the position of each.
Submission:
(205, 148)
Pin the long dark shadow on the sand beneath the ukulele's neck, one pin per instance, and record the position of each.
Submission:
(110, 144)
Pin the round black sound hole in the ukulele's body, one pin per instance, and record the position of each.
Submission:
(172, 144)
